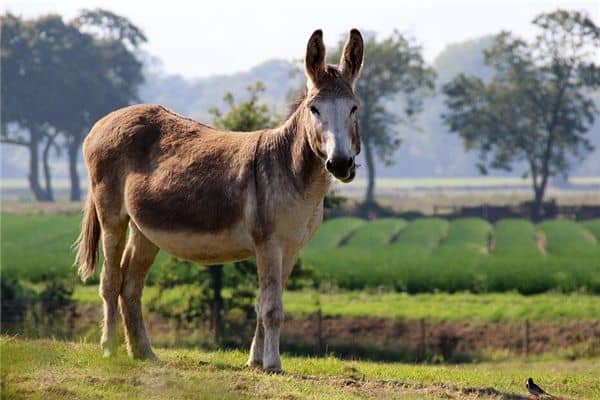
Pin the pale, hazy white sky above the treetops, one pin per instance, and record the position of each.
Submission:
(201, 38)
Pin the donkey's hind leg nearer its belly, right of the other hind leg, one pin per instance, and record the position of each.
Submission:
(138, 258)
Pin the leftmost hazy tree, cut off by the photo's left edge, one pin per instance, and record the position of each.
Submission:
(30, 74)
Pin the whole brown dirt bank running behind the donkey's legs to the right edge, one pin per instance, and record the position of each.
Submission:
(383, 338)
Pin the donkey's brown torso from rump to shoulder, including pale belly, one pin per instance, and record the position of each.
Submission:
(172, 176)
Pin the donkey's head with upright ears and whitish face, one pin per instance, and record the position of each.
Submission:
(330, 105)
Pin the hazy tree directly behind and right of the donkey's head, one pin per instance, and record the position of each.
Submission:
(392, 67)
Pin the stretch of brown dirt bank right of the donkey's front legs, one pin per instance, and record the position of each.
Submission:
(445, 338)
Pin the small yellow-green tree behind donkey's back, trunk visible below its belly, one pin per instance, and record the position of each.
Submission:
(248, 115)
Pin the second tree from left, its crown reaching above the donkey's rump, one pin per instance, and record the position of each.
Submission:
(105, 79)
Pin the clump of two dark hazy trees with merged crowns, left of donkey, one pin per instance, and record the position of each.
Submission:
(58, 78)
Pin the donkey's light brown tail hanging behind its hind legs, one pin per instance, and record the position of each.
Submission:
(87, 242)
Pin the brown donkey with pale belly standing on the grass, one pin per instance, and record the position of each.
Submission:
(214, 196)
